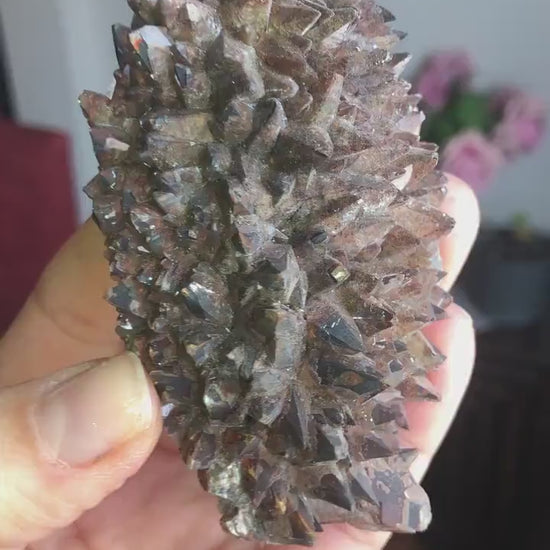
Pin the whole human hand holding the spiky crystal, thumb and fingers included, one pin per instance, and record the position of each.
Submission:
(83, 464)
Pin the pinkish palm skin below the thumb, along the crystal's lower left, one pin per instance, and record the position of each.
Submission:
(162, 506)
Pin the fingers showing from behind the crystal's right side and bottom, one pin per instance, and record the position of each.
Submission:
(429, 422)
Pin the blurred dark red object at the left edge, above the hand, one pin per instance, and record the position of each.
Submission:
(36, 209)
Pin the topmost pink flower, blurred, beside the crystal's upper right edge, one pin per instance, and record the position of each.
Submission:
(440, 74)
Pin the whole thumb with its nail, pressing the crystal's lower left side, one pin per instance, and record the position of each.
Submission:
(69, 440)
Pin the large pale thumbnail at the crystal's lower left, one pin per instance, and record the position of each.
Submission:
(99, 408)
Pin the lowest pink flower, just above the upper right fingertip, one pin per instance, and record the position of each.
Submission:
(473, 158)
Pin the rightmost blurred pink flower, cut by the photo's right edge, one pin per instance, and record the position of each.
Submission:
(523, 123)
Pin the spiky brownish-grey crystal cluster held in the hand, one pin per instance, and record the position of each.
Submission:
(272, 223)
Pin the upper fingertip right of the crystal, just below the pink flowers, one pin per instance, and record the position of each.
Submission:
(461, 204)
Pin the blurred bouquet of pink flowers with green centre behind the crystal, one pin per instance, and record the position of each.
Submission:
(478, 131)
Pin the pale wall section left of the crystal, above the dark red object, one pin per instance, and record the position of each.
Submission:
(56, 49)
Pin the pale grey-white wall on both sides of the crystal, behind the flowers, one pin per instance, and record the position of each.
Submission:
(59, 47)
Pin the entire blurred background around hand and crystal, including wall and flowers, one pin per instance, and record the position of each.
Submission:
(483, 67)
